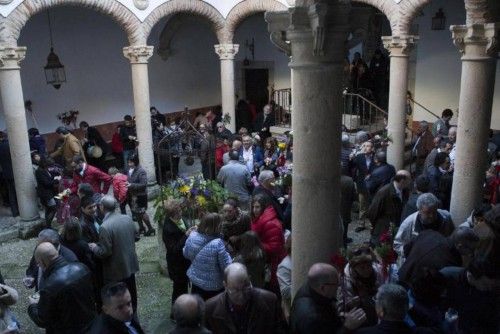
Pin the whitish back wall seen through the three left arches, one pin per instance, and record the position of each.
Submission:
(99, 83)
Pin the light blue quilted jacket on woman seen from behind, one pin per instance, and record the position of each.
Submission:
(208, 258)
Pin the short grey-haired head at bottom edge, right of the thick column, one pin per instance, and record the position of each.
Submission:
(393, 300)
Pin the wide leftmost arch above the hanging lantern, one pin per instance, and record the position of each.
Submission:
(11, 27)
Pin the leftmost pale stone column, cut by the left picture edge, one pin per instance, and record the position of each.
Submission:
(13, 107)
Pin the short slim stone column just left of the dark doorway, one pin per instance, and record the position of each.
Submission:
(226, 54)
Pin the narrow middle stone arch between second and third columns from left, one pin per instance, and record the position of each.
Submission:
(195, 7)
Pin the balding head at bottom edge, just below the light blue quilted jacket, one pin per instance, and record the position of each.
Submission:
(188, 311)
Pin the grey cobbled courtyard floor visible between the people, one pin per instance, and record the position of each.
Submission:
(154, 290)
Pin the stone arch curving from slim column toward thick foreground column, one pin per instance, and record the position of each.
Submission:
(245, 9)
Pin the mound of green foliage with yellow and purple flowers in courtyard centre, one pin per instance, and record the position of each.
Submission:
(197, 195)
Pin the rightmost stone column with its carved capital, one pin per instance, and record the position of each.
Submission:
(477, 43)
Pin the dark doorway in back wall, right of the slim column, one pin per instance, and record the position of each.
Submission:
(256, 87)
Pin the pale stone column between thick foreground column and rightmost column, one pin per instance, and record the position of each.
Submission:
(399, 48)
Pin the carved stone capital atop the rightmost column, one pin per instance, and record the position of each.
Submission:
(476, 41)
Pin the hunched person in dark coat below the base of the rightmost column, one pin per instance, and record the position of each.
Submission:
(433, 250)
